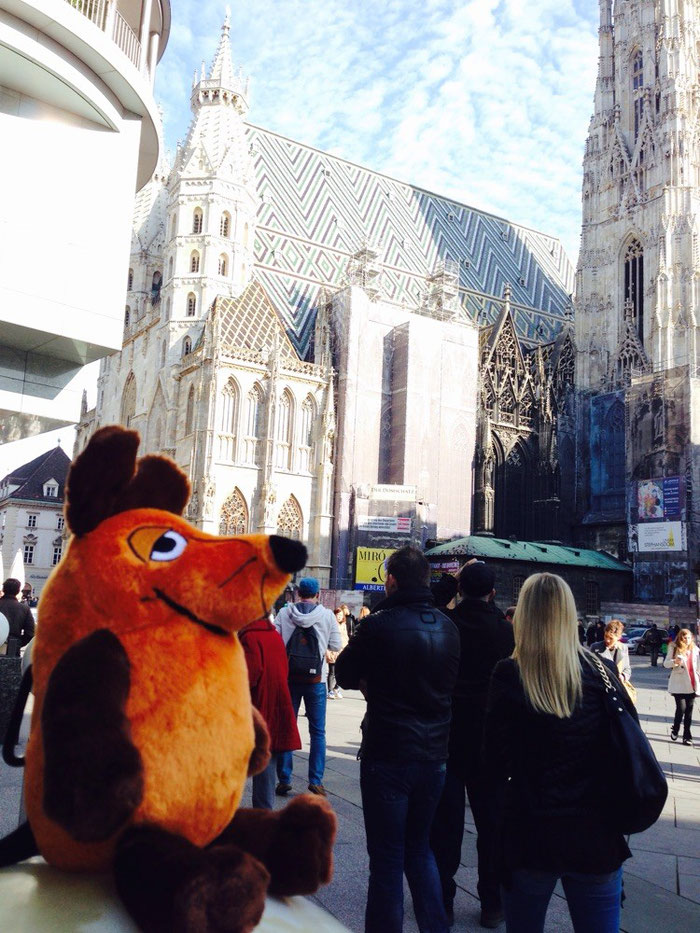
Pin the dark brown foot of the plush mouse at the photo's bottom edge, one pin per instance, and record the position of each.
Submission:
(227, 894)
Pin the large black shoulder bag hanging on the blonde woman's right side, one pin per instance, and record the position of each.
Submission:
(632, 767)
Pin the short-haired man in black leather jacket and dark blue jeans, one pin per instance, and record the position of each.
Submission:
(404, 657)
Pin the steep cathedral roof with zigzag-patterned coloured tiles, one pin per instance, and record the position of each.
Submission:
(316, 209)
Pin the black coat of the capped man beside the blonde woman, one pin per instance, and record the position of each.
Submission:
(485, 637)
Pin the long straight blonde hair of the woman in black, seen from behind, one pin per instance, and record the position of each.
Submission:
(547, 648)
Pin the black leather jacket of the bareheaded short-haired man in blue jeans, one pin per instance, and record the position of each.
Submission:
(406, 652)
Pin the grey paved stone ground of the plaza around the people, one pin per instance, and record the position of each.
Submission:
(662, 881)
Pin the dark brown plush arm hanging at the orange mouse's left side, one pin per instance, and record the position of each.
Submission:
(93, 777)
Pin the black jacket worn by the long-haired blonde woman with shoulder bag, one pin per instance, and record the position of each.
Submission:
(559, 810)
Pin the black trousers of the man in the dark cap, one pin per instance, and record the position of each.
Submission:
(448, 831)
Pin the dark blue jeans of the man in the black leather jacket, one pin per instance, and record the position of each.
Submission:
(398, 803)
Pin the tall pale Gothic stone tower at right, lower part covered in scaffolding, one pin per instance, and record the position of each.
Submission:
(638, 295)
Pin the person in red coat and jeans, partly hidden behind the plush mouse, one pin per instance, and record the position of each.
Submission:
(266, 657)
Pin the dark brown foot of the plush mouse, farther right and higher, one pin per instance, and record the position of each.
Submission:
(300, 856)
